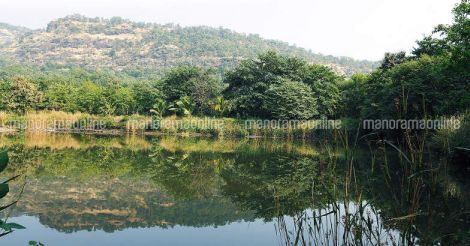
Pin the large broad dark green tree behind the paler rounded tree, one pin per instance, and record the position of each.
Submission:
(249, 82)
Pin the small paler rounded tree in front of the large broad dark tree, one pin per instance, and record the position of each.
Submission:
(291, 100)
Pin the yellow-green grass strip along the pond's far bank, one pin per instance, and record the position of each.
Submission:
(57, 121)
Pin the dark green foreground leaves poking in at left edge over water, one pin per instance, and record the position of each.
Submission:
(6, 228)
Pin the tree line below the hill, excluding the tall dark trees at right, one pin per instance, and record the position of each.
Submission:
(272, 85)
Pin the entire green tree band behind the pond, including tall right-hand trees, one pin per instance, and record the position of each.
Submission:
(432, 81)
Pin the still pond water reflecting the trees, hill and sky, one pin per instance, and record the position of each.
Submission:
(92, 190)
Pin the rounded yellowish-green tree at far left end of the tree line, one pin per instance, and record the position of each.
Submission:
(22, 95)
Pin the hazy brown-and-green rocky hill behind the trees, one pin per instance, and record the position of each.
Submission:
(123, 45)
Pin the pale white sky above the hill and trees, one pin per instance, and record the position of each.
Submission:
(362, 29)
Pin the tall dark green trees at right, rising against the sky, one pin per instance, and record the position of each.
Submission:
(434, 80)
